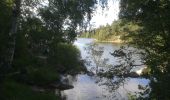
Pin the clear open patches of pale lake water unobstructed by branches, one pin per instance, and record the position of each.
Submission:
(92, 87)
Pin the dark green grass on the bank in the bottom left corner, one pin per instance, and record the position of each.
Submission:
(12, 90)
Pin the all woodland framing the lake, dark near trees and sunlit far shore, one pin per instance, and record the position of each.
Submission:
(36, 43)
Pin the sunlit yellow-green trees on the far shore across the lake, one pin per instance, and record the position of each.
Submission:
(117, 30)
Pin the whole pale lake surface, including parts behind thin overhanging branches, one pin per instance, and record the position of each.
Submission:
(108, 77)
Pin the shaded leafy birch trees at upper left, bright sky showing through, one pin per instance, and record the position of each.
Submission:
(52, 23)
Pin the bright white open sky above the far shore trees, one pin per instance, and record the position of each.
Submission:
(106, 16)
